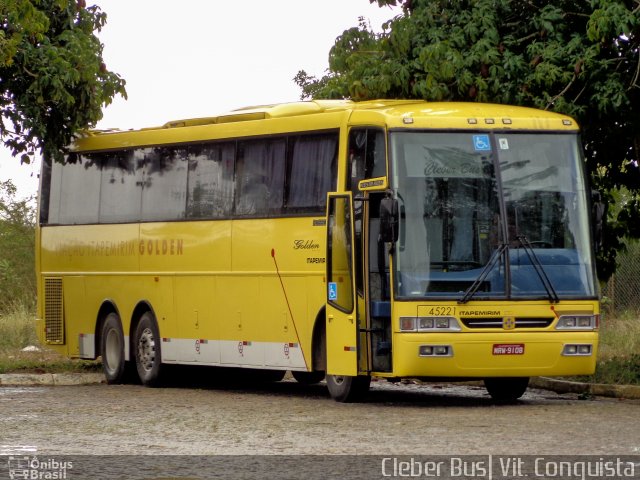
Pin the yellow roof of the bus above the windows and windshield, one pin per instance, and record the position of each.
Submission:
(392, 113)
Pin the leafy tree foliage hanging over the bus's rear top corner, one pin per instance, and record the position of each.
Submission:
(53, 81)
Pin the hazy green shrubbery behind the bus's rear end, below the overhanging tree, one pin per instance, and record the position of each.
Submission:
(17, 268)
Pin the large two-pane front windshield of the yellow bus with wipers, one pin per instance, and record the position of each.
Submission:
(491, 215)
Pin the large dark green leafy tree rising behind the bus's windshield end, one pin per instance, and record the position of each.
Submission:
(578, 57)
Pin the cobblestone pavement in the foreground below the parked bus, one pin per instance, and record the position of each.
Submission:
(289, 418)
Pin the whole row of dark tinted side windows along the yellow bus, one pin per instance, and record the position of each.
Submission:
(272, 176)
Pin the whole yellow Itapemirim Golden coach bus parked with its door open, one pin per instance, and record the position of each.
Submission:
(337, 240)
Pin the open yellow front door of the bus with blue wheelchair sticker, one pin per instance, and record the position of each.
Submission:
(342, 319)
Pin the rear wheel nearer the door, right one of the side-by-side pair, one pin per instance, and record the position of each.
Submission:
(147, 350)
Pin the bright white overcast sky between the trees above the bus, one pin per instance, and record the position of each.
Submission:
(199, 58)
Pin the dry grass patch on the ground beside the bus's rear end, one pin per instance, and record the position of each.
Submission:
(17, 331)
